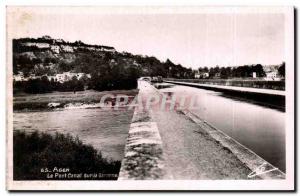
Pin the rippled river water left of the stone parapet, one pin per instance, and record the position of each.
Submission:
(106, 130)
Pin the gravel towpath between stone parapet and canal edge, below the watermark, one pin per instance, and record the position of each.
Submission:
(191, 154)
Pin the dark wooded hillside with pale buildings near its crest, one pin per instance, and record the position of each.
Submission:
(107, 68)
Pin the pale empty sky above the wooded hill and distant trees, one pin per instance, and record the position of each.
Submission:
(192, 40)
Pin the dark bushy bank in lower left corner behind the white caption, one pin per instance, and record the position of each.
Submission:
(37, 156)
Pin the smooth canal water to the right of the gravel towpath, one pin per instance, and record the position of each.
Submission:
(257, 127)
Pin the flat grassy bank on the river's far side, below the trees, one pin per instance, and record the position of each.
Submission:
(40, 101)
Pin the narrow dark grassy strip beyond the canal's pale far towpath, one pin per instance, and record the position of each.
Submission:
(252, 83)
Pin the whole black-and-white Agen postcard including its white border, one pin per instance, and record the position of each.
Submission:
(150, 98)
